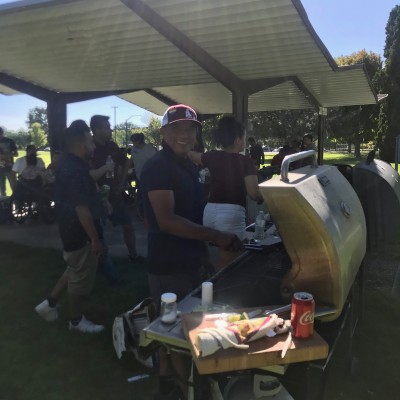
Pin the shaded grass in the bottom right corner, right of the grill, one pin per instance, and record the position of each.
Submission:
(373, 373)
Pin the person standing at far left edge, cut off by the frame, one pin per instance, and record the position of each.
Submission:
(8, 150)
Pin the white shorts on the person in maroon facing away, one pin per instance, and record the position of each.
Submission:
(226, 217)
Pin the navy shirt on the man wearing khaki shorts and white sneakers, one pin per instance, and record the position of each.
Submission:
(75, 187)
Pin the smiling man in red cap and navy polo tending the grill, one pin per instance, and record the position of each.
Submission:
(173, 202)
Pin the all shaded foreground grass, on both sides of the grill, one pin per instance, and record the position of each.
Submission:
(44, 361)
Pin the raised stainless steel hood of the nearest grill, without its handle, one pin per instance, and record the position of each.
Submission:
(321, 222)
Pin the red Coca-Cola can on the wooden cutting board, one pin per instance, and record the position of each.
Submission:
(302, 315)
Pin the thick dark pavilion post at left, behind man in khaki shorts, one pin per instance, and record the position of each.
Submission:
(57, 120)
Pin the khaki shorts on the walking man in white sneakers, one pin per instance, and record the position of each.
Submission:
(81, 270)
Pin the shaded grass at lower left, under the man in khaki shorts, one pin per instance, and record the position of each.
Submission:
(43, 360)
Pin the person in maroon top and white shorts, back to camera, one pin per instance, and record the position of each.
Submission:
(233, 176)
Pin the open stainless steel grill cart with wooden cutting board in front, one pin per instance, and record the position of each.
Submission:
(316, 243)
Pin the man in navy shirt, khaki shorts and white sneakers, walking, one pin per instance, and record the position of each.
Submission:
(78, 210)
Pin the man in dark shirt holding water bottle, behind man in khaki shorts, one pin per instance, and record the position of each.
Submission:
(105, 147)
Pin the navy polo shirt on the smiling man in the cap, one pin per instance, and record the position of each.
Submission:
(169, 253)
